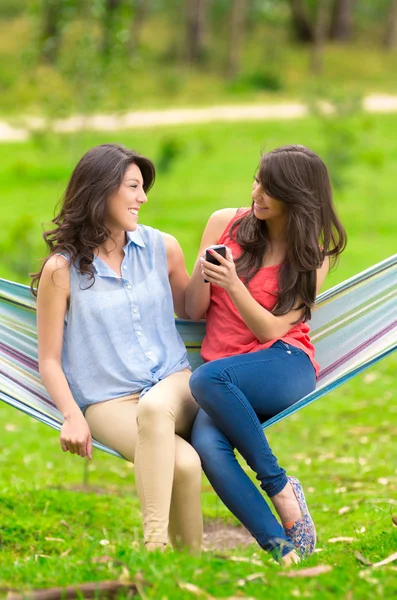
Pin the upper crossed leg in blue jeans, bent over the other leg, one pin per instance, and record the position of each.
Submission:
(234, 391)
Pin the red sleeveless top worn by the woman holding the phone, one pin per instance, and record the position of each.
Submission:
(226, 332)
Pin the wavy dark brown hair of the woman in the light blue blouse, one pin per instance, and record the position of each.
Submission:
(80, 225)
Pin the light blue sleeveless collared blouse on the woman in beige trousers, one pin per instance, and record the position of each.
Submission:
(120, 335)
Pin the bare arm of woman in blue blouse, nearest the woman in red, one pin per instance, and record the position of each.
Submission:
(177, 273)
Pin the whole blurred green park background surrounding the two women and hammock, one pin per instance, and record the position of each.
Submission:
(240, 77)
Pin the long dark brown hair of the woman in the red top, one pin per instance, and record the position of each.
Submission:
(298, 177)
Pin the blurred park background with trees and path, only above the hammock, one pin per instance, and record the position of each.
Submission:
(330, 62)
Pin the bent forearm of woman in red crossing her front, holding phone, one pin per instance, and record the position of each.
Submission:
(263, 324)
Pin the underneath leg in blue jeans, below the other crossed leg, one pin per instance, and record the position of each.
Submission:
(234, 487)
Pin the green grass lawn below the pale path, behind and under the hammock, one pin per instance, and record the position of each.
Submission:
(62, 522)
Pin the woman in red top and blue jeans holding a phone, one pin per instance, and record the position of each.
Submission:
(259, 358)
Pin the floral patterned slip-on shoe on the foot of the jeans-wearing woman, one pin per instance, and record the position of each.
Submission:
(302, 533)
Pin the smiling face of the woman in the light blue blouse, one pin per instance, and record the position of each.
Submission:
(123, 206)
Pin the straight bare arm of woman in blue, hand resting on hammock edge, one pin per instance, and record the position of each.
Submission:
(52, 299)
